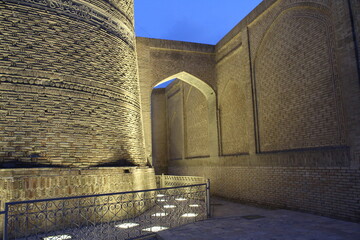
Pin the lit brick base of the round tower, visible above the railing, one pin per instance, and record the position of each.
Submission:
(29, 184)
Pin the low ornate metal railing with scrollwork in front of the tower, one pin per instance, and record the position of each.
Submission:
(124, 215)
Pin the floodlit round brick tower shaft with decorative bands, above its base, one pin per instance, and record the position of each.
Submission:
(69, 92)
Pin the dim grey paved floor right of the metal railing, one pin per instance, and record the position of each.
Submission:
(233, 221)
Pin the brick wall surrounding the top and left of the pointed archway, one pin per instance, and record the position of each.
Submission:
(160, 59)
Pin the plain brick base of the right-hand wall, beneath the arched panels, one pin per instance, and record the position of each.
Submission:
(330, 192)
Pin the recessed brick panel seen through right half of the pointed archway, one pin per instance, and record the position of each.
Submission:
(195, 122)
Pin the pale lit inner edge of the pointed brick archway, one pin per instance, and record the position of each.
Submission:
(210, 97)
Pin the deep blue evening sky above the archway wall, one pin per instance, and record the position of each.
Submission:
(201, 21)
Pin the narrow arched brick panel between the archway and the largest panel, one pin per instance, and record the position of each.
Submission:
(232, 91)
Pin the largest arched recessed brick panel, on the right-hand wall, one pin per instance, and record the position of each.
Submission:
(297, 101)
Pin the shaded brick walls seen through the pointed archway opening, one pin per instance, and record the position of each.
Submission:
(186, 123)
